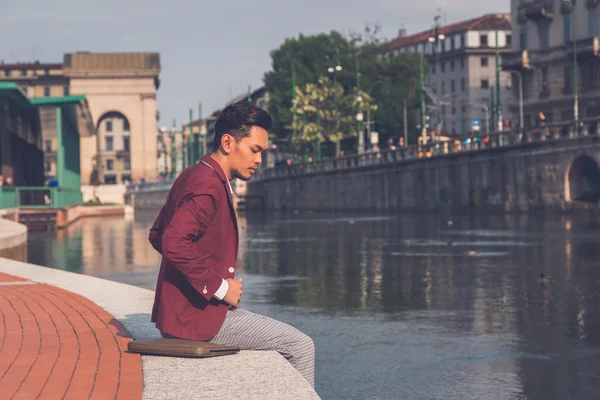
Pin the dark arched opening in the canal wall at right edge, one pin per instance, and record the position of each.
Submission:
(582, 181)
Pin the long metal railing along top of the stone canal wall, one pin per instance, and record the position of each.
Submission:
(461, 144)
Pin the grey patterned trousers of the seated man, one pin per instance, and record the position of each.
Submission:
(250, 331)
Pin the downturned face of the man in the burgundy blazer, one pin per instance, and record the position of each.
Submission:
(246, 155)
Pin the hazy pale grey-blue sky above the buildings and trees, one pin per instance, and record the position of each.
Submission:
(210, 50)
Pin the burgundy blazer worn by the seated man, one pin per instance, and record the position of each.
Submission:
(196, 233)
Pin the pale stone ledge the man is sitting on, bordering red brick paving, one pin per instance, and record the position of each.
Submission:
(248, 375)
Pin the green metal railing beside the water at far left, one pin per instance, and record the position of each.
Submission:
(39, 197)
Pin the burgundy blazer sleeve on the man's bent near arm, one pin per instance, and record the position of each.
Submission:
(179, 247)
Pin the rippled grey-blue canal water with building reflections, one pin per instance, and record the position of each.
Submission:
(400, 306)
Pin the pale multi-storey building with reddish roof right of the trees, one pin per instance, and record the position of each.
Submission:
(461, 81)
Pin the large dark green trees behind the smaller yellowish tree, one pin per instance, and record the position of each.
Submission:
(391, 79)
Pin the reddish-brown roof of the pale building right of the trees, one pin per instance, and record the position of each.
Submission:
(487, 22)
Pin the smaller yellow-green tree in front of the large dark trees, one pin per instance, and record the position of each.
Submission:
(315, 120)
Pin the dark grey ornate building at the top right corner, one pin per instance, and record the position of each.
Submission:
(547, 35)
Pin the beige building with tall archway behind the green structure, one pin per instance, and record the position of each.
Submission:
(121, 92)
